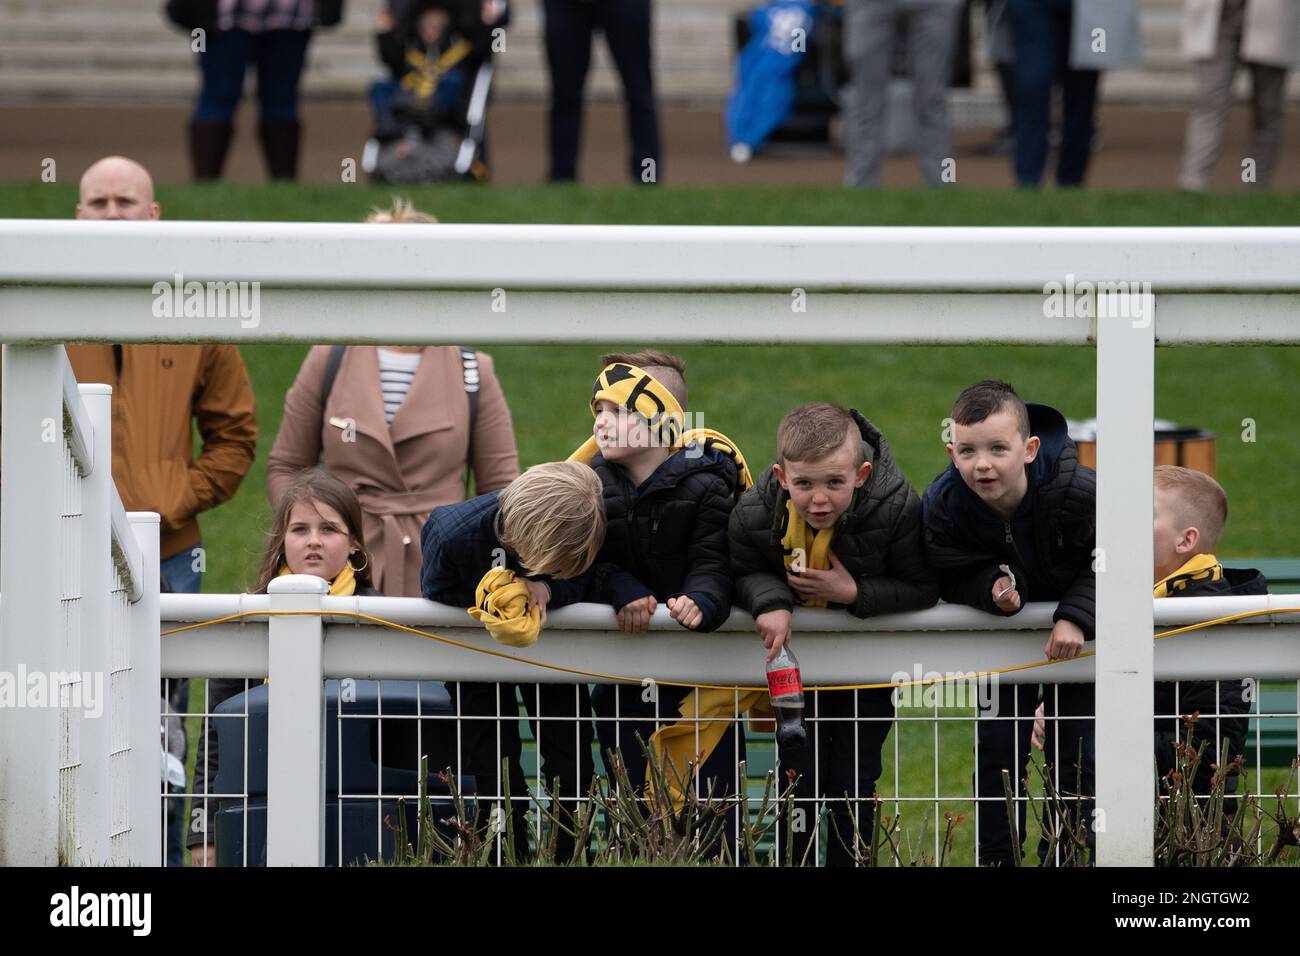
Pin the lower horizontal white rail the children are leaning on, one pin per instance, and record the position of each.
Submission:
(834, 647)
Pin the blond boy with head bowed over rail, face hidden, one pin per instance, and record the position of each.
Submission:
(547, 527)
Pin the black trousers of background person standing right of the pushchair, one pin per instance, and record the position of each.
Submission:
(570, 28)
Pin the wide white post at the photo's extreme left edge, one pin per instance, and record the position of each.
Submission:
(31, 615)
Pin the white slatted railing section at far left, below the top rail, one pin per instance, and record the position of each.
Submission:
(79, 617)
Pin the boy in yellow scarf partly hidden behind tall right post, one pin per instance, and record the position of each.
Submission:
(1191, 511)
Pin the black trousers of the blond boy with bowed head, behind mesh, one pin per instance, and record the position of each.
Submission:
(564, 738)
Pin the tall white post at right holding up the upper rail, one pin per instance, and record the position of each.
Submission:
(1125, 699)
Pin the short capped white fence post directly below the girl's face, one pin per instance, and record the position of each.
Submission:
(296, 771)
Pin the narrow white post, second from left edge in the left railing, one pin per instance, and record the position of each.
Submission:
(98, 578)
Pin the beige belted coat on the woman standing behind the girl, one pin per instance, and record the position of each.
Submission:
(402, 471)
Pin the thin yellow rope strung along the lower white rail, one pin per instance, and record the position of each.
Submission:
(622, 680)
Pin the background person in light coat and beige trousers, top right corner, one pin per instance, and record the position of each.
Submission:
(1220, 36)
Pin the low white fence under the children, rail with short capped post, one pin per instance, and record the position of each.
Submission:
(298, 652)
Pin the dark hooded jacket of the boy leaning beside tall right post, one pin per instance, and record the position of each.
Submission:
(1048, 543)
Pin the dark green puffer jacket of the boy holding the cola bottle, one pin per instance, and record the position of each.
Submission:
(877, 539)
